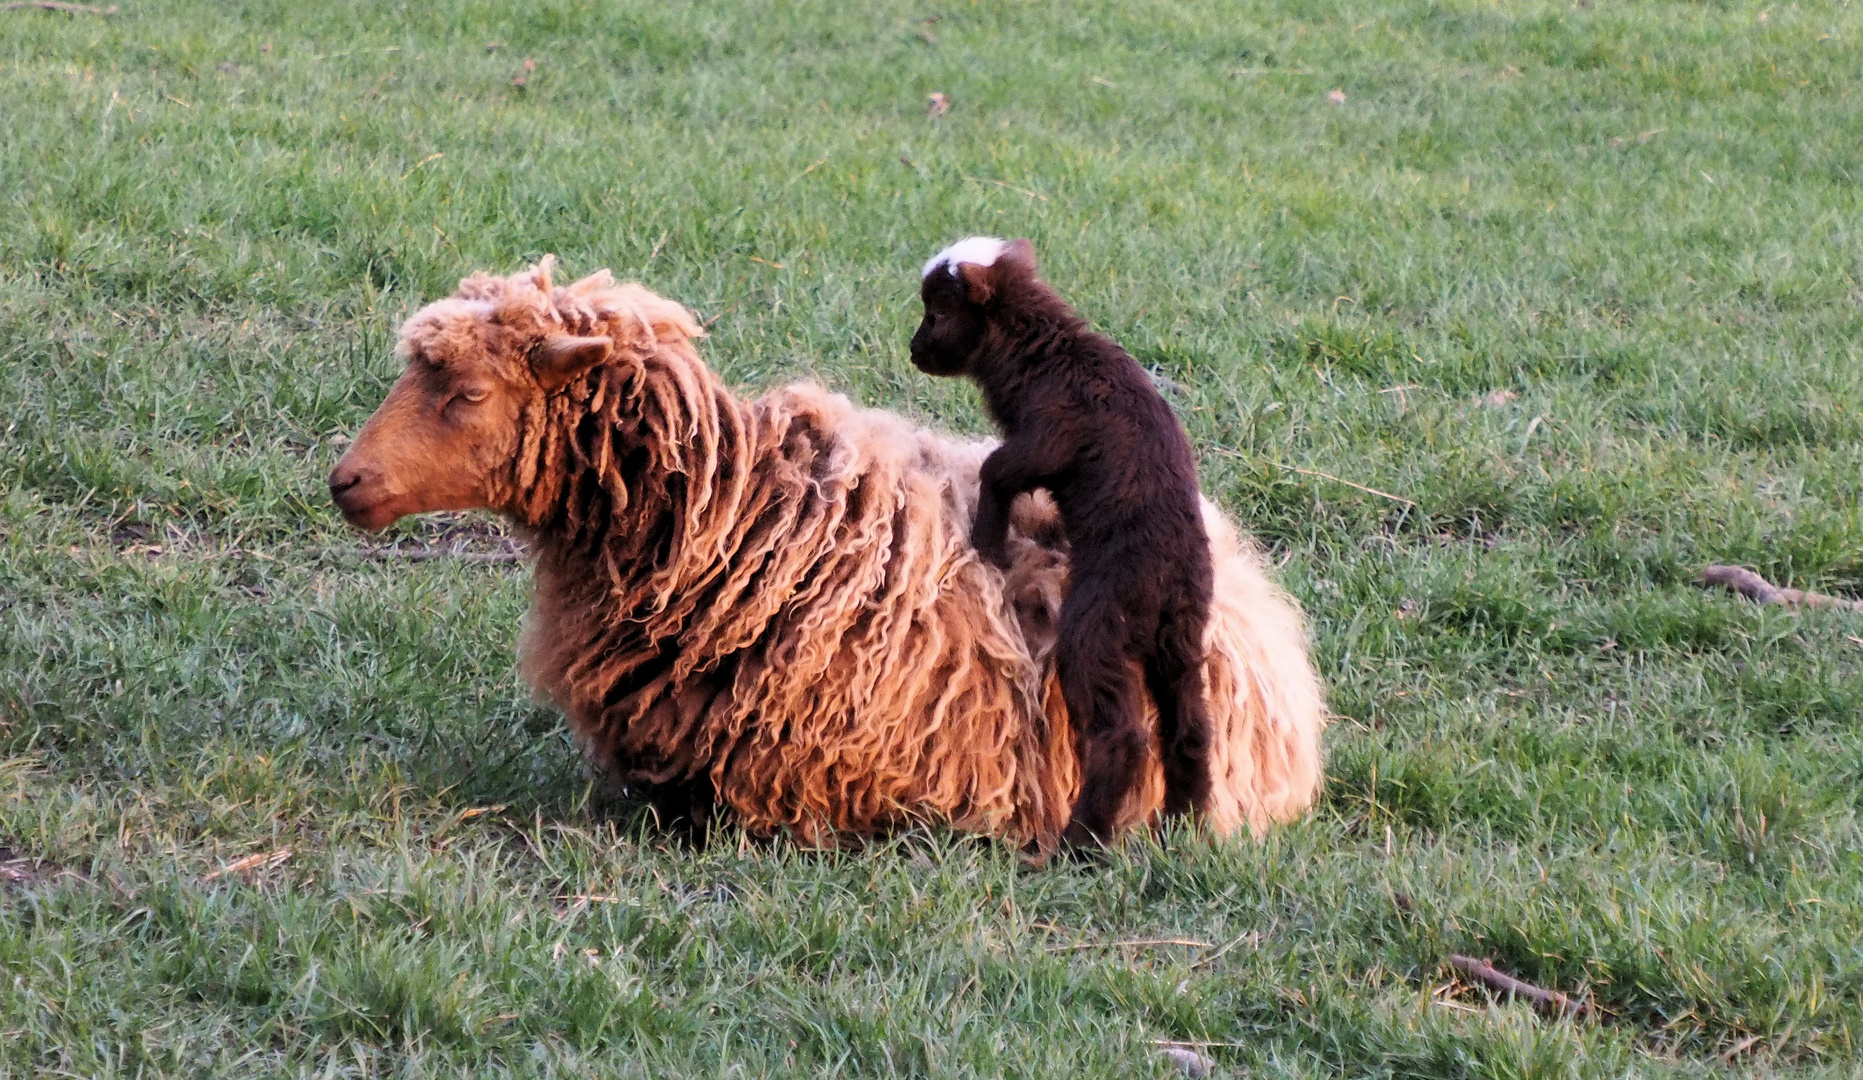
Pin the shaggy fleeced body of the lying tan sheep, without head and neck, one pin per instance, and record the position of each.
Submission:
(823, 647)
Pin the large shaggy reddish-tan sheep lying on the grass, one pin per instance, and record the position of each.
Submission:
(770, 608)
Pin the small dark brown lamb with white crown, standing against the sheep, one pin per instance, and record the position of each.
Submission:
(1083, 422)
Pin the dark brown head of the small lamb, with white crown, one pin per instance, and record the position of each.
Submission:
(962, 288)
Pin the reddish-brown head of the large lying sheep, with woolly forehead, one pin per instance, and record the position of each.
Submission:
(446, 439)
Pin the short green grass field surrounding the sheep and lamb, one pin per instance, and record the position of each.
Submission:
(1577, 282)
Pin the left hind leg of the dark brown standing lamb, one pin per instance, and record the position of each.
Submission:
(1104, 707)
